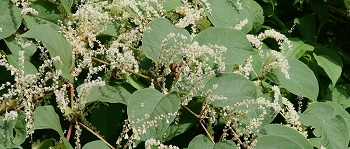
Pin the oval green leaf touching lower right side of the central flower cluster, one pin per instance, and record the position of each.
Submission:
(233, 86)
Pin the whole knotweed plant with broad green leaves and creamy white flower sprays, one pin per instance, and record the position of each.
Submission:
(148, 73)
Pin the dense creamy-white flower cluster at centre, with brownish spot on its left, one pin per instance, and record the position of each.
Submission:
(192, 64)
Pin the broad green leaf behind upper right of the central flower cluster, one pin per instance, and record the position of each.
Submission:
(238, 46)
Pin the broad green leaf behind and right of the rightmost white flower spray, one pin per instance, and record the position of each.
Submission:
(302, 80)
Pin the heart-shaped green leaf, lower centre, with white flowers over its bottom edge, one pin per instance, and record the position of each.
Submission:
(149, 105)
